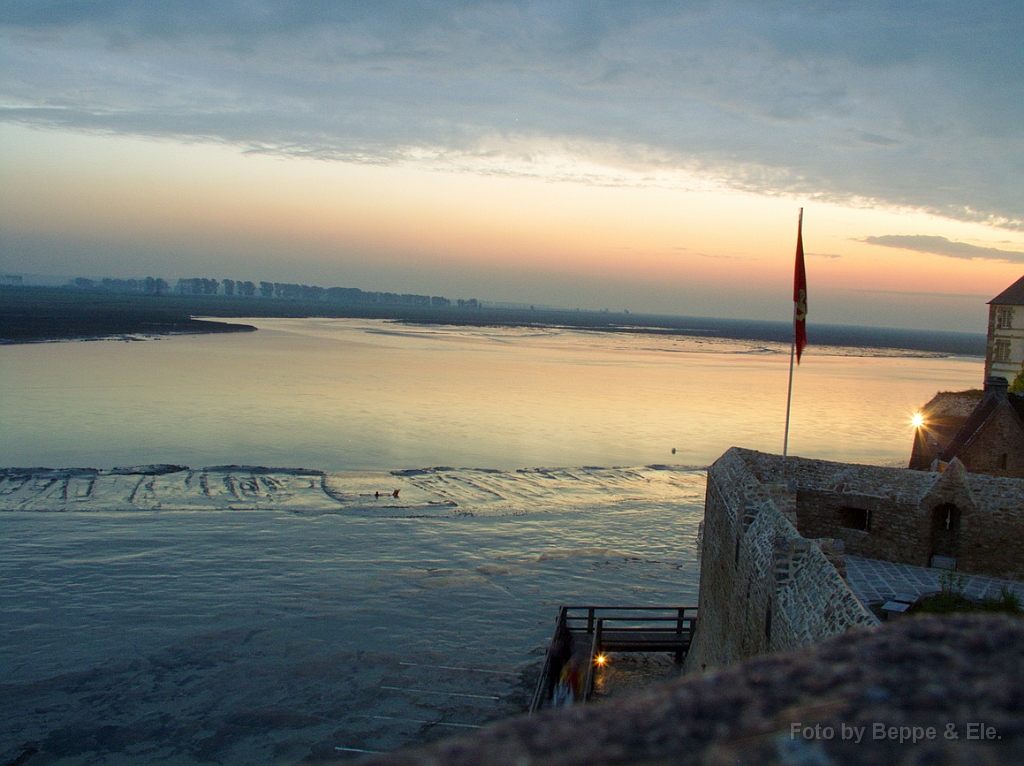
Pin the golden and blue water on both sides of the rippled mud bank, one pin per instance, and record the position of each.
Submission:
(270, 639)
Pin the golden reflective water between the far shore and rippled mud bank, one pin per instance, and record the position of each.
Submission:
(340, 395)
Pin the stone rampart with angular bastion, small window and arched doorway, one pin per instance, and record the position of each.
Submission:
(777, 532)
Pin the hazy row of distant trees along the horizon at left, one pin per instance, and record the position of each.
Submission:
(280, 290)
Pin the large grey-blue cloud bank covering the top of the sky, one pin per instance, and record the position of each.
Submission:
(907, 105)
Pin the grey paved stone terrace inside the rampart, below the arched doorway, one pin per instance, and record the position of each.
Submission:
(876, 581)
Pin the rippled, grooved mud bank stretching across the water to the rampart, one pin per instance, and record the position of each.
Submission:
(432, 492)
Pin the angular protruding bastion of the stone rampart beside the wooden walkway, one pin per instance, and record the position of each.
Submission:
(763, 587)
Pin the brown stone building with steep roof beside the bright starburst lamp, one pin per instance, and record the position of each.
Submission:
(984, 430)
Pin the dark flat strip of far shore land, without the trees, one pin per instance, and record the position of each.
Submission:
(39, 315)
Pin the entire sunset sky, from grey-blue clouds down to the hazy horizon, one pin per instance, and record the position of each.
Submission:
(643, 156)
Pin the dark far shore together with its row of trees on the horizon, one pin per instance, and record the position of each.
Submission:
(115, 307)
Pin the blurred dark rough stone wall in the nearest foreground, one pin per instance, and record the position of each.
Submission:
(923, 691)
